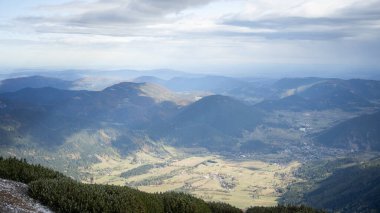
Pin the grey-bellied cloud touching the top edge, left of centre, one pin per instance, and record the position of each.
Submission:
(113, 12)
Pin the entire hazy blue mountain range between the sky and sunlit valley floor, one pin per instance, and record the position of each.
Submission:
(79, 122)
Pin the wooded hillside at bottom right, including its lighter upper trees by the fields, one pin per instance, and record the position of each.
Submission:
(356, 183)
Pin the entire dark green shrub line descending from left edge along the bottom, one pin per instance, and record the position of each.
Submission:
(62, 194)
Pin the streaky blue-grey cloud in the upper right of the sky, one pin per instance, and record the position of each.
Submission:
(348, 22)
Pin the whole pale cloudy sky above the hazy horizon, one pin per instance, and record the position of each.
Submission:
(190, 35)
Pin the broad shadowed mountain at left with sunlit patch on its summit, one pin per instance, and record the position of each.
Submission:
(49, 115)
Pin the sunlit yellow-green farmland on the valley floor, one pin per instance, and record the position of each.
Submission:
(207, 176)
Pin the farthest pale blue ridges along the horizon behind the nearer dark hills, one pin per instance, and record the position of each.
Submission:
(285, 94)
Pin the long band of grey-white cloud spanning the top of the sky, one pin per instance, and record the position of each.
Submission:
(269, 19)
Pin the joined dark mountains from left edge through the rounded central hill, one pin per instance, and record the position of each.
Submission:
(49, 115)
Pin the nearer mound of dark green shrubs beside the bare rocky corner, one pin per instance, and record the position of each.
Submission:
(71, 196)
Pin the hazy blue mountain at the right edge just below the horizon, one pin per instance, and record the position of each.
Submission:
(323, 94)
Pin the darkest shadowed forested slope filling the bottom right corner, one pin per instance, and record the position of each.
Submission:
(356, 189)
